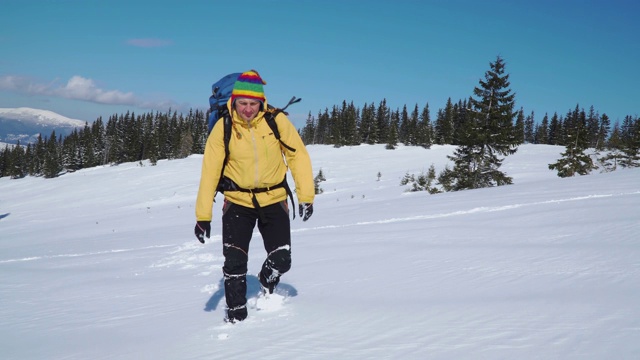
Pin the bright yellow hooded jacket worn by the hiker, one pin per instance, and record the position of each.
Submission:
(255, 161)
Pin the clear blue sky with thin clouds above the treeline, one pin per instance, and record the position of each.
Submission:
(88, 58)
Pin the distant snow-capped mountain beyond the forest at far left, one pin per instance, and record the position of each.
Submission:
(24, 124)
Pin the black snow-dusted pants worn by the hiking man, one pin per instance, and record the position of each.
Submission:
(238, 223)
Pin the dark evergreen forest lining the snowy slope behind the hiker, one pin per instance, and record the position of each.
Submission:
(486, 127)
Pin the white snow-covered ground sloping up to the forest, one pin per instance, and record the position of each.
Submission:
(102, 264)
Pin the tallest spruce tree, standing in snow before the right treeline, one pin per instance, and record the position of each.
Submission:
(488, 134)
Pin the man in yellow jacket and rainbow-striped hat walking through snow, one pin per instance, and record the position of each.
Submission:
(253, 180)
